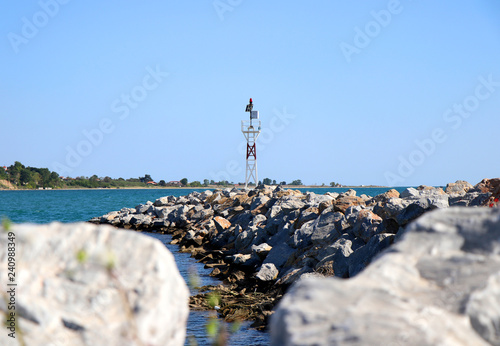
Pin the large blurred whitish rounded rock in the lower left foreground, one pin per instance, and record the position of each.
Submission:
(82, 284)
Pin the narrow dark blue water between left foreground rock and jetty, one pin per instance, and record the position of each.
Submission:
(197, 321)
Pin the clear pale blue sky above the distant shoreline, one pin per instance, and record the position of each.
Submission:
(373, 92)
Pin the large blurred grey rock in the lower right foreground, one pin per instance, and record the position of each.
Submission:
(439, 285)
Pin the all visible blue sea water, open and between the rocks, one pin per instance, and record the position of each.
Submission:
(44, 206)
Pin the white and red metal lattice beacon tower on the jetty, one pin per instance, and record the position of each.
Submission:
(251, 130)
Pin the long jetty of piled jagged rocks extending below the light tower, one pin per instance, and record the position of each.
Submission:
(261, 241)
